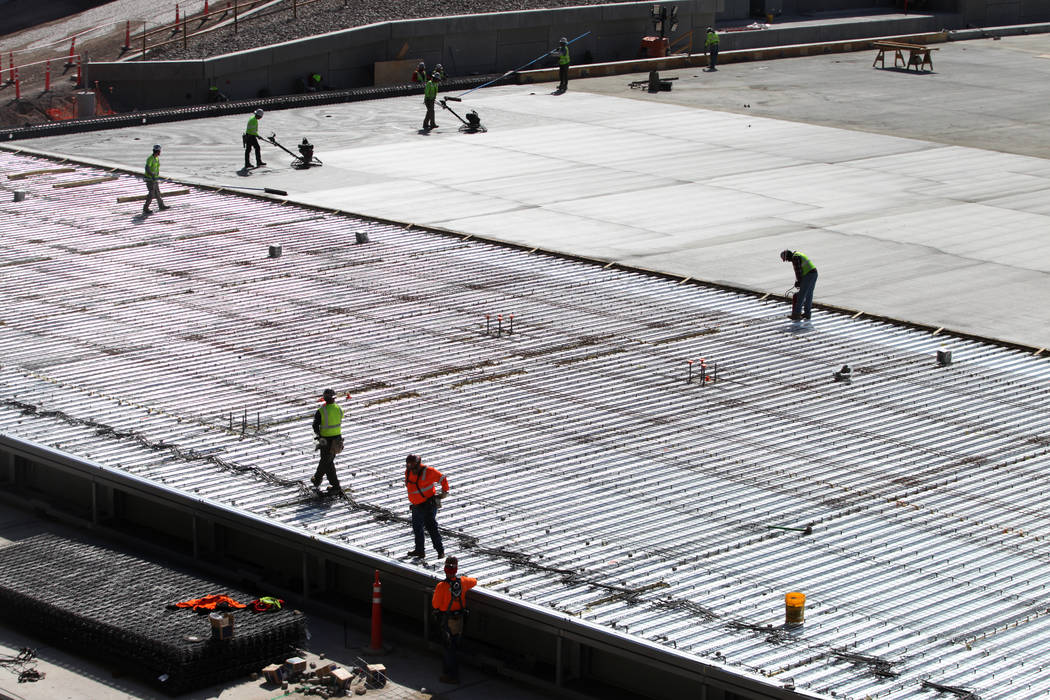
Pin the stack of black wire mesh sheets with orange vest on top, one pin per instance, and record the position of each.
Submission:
(117, 607)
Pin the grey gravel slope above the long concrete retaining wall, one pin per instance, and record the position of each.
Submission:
(324, 16)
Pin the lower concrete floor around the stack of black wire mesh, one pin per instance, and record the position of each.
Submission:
(413, 672)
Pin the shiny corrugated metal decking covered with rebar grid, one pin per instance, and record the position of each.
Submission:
(587, 475)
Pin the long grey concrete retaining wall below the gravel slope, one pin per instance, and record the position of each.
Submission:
(475, 45)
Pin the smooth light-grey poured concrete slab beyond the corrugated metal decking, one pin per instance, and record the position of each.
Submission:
(920, 197)
